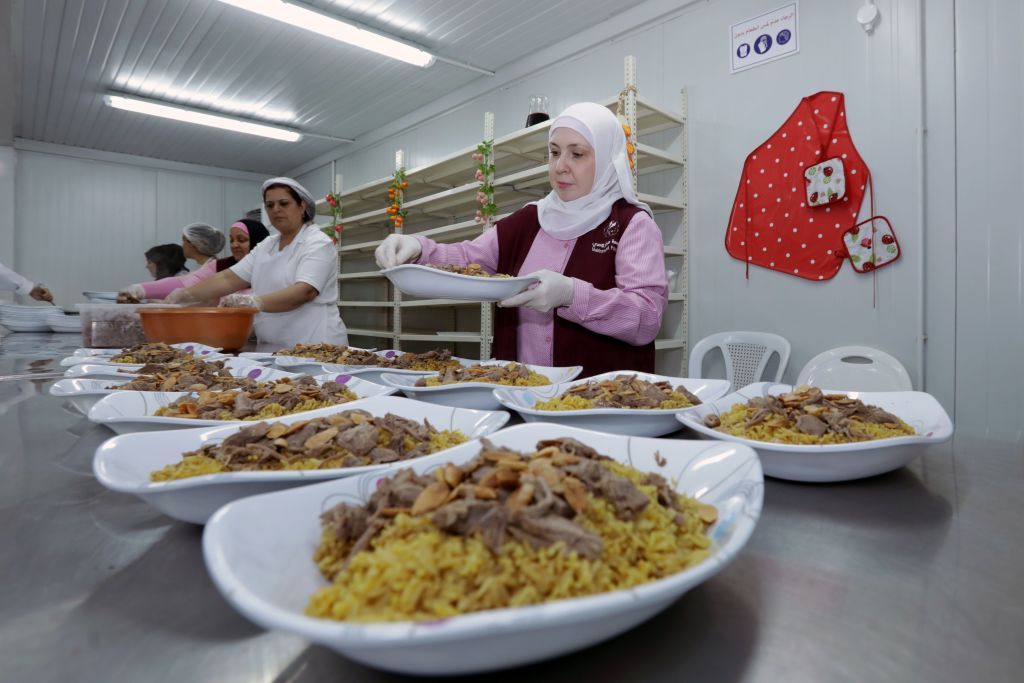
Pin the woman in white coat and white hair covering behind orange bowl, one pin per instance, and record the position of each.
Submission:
(293, 276)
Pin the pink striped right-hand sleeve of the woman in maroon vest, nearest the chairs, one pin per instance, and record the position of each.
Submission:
(632, 311)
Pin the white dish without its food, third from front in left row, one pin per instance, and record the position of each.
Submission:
(126, 412)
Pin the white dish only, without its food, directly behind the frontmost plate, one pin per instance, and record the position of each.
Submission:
(124, 463)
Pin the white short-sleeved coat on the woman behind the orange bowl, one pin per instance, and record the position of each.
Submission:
(311, 259)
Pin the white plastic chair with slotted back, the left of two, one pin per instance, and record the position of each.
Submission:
(747, 356)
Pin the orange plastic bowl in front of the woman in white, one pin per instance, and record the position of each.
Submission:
(227, 328)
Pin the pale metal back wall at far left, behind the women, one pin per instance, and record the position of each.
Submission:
(83, 225)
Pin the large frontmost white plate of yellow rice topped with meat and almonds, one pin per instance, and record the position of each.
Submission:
(493, 611)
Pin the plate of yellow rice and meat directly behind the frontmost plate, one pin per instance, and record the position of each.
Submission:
(155, 466)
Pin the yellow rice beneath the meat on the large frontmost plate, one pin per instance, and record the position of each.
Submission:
(413, 571)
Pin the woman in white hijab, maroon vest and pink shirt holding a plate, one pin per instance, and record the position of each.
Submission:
(594, 246)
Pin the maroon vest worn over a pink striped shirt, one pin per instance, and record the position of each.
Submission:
(593, 261)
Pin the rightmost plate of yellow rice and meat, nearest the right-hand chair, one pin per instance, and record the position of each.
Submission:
(816, 435)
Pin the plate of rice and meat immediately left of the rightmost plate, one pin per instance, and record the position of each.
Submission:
(644, 404)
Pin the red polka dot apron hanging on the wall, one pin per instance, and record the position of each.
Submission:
(780, 221)
